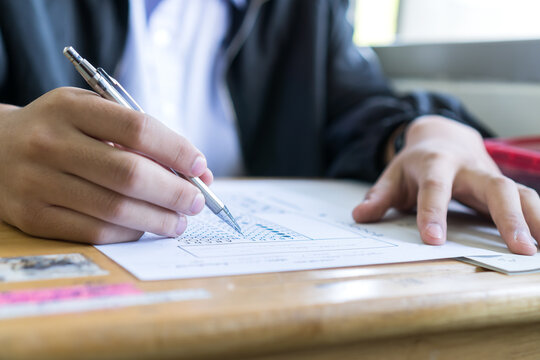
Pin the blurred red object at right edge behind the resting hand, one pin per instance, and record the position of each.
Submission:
(518, 158)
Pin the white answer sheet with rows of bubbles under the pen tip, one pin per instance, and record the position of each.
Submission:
(295, 225)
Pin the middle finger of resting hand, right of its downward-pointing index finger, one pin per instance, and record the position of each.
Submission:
(504, 203)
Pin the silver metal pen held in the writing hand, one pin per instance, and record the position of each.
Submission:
(110, 89)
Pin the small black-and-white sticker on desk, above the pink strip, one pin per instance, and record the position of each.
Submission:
(42, 267)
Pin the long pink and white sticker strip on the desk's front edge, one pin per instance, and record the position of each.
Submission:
(76, 299)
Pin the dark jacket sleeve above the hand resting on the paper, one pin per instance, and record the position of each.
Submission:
(363, 111)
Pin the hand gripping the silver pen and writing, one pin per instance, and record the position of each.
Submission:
(62, 179)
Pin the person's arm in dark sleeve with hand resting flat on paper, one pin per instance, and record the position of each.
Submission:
(442, 158)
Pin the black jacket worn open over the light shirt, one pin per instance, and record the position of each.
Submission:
(308, 102)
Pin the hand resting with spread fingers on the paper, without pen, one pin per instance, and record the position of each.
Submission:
(443, 159)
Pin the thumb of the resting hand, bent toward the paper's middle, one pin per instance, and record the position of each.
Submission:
(379, 198)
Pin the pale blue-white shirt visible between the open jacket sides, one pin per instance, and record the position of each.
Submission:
(173, 67)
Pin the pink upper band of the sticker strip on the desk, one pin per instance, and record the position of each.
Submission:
(66, 293)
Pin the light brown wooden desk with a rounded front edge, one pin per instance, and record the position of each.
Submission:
(428, 310)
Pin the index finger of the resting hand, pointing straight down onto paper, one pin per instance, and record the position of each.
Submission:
(434, 194)
